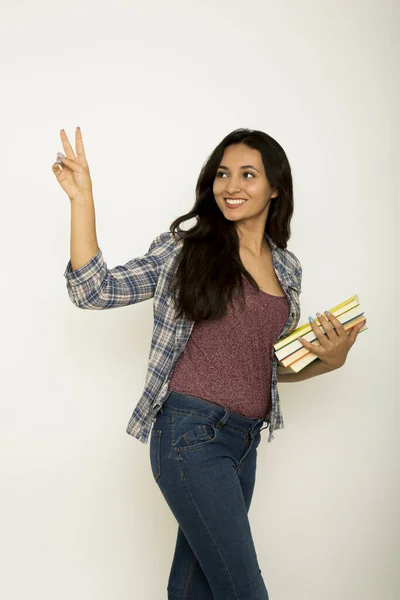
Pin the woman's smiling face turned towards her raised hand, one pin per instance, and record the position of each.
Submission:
(241, 175)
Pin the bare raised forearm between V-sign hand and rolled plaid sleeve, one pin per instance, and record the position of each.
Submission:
(84, 244)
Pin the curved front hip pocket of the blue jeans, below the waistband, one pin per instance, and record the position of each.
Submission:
(192, 432)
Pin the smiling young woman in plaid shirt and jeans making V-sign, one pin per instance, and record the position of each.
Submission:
(224, 292)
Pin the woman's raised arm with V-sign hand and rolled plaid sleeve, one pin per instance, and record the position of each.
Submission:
(90, 284)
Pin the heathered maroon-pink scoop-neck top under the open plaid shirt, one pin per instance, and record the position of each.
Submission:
(228, 361)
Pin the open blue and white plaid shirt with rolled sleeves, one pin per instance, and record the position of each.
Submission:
(95, 287)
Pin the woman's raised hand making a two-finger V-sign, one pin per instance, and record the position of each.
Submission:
(74, 177)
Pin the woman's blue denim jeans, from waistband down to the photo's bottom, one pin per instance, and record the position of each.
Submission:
(203, 458)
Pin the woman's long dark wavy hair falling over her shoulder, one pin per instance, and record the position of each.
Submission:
(209, 269)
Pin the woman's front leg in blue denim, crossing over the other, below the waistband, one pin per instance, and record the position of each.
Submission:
(195, 466)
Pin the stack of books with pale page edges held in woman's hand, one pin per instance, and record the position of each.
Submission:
(293, 356)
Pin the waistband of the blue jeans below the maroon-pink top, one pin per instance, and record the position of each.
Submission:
(178, 401)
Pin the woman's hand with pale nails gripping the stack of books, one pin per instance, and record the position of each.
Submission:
(332, 348)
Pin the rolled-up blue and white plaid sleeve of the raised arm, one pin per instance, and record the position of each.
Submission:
(95, 286)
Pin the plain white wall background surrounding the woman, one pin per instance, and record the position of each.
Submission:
(155, 86)
